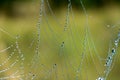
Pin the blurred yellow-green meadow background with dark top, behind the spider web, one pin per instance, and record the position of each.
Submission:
(61, 52)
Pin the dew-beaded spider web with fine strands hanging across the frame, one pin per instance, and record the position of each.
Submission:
(62, 48)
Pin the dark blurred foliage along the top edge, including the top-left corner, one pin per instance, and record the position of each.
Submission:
(7, 6)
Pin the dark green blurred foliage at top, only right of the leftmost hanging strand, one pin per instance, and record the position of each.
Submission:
(88, 3)
